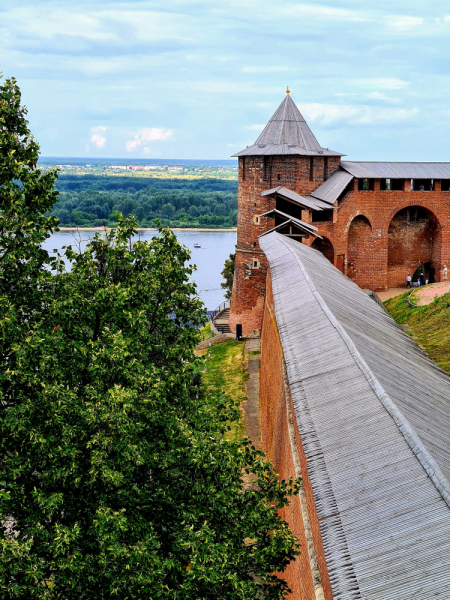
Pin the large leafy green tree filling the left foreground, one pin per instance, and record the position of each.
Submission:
(116, 475)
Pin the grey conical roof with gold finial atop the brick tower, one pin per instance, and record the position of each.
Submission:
(287, 132)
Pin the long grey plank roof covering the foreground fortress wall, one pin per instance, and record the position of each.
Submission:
(373, 414)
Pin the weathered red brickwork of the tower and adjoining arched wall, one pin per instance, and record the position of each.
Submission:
(370, 239)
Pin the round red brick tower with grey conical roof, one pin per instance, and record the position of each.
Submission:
(286, 155)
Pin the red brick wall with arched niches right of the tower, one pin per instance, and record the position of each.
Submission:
(370, 253)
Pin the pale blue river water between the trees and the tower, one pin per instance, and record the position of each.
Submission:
(216, 246)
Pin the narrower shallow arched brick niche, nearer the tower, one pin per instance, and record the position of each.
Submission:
(359, 250)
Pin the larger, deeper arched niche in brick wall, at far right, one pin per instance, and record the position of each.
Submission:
(414, 240)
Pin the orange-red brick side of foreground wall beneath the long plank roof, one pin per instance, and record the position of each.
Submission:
(277, 446)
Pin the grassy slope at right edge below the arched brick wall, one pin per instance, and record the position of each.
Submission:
(430, 325)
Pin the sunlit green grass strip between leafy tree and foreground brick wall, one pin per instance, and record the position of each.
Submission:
(226, 373)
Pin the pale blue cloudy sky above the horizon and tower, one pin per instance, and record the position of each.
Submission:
(200, 78)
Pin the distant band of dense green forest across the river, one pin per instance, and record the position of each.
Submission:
(92, 201)
